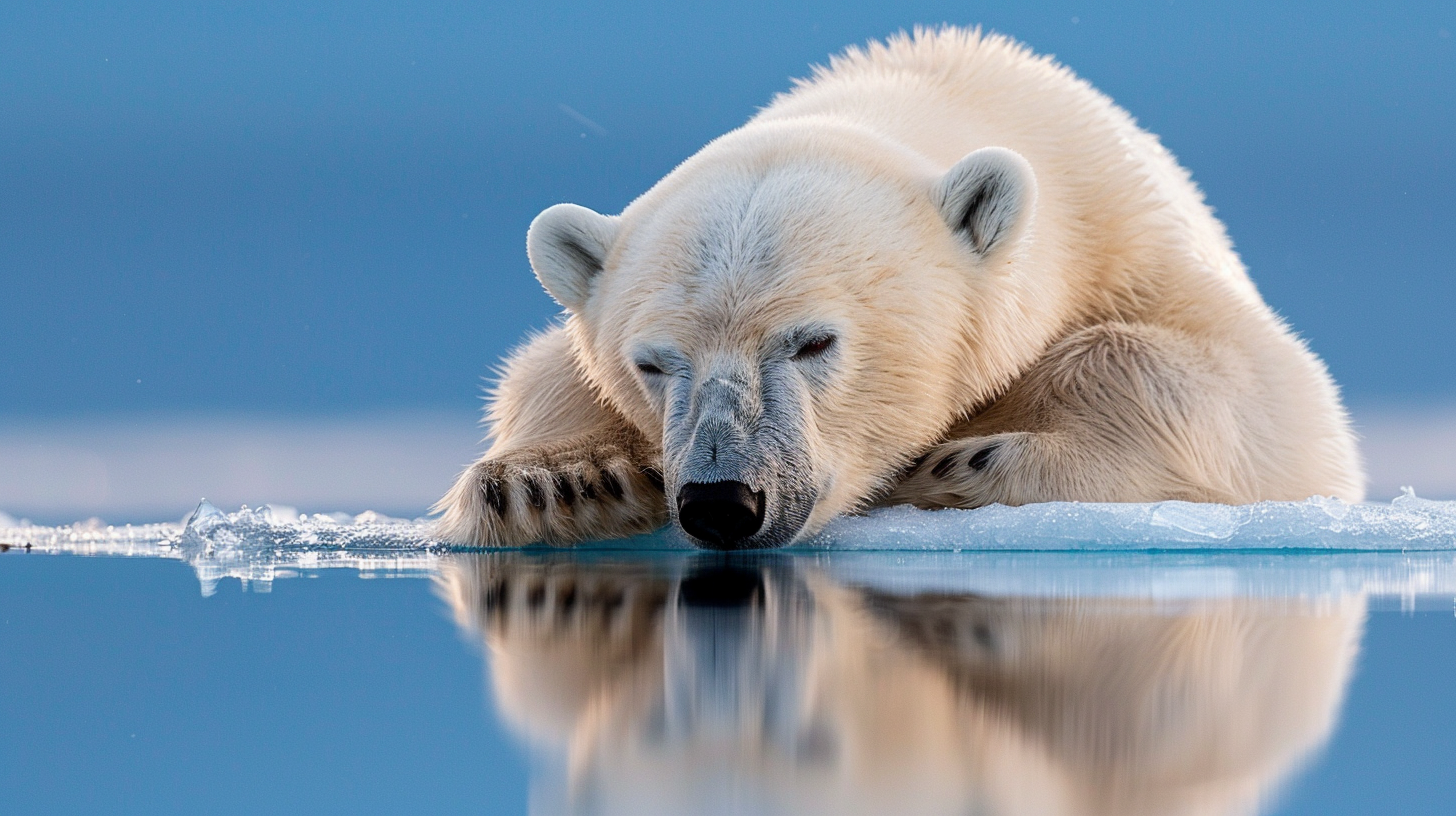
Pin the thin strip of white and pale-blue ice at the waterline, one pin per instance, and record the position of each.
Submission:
(258, 546)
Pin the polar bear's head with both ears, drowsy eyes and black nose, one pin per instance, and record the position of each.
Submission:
(796, 313)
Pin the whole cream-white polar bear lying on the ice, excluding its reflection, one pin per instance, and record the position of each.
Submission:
(941, 272)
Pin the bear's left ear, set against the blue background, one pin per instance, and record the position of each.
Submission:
(569, 247)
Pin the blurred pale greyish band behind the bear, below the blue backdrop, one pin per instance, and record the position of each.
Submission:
(158, 468)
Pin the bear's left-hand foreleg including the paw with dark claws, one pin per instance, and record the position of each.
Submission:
(561, 467)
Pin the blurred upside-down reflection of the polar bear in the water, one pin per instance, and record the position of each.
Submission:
(765, 687)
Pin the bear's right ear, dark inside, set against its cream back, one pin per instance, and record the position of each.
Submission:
(988, 197)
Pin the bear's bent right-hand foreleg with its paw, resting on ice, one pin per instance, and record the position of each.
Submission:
(1112, 413)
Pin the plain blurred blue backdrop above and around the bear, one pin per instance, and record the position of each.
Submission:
(308, 209)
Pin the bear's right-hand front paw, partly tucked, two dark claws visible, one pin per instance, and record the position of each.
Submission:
(973, 473)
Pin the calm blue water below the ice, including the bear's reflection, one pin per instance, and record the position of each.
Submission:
(684, 684)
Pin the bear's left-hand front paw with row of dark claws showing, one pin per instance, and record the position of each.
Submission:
(553, 498)
